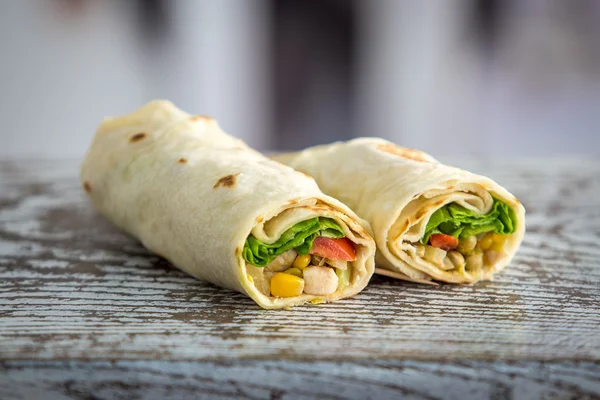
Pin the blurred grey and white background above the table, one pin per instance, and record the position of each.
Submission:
(485, 77)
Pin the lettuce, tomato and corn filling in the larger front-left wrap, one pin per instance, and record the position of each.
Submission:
(311, 257)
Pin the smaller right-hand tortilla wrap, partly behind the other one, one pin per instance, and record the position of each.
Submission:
(431, 222)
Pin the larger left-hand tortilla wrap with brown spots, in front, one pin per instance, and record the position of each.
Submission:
(224, 213)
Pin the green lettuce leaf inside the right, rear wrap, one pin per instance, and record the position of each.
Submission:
(457, 221)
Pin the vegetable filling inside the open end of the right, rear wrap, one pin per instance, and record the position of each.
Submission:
(460, 239)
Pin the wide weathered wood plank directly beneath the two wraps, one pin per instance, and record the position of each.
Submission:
(72, 287)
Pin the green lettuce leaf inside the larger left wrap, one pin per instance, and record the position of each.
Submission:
(300, 237)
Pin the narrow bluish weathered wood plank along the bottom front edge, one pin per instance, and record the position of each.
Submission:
(299, 380)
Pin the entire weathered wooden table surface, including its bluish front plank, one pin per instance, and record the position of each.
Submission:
(86, 312)
